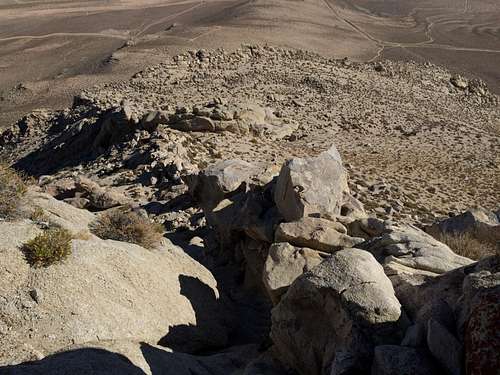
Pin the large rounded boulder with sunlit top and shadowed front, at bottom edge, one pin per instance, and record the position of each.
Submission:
(333, 316)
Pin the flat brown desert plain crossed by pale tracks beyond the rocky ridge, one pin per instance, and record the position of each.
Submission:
(50, 50)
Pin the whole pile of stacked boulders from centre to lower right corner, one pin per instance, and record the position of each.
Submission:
(351, 294)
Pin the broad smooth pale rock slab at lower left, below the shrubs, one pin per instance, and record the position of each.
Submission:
(101, 292)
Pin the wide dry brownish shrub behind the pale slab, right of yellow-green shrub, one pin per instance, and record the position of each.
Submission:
(128, 227)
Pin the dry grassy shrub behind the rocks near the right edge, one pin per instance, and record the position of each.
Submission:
(465, 244)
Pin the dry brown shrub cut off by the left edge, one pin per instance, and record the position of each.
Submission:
(12, 189)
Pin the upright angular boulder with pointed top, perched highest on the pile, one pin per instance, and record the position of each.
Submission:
(313, 186)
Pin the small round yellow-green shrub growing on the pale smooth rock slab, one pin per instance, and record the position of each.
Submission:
(49, 247)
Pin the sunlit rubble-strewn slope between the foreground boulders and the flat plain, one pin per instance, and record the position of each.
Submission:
(419, 142)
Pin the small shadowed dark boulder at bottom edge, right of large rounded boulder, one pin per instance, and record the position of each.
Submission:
(400, 360)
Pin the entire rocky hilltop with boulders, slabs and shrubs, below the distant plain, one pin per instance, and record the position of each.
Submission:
(258, 211)
